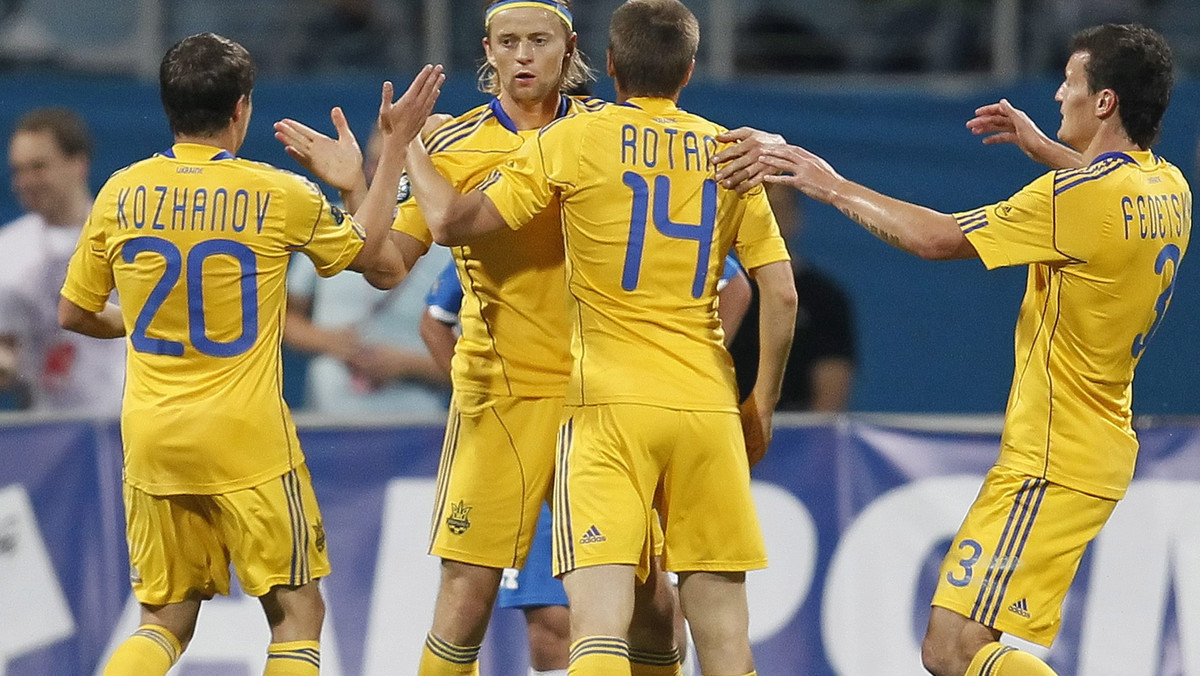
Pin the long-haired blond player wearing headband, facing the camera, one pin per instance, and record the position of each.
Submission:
(513, 362)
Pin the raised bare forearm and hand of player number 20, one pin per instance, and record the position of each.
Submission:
(399, 123)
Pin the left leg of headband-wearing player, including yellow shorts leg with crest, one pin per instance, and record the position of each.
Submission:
(497, 464)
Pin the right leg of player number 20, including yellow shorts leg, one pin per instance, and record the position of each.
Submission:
(278, 543)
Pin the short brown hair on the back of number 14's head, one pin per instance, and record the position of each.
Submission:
(653, 45)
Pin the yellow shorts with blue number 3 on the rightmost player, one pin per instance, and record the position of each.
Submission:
(1017, 553)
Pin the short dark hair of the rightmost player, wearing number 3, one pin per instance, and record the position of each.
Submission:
(1136, 63)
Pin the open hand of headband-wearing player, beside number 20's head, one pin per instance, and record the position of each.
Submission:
(337, 163)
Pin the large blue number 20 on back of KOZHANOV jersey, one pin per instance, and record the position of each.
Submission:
(196, 330)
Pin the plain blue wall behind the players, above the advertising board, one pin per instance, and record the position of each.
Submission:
(934, 337)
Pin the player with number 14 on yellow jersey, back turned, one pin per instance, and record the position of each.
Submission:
(652, 410)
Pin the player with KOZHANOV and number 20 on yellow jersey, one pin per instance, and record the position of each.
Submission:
(196, 243)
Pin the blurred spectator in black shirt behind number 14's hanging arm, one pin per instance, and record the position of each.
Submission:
(821, 367)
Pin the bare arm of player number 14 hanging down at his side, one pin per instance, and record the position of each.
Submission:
(777, 325)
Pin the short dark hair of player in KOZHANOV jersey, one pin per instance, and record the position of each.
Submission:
(201, 80)
